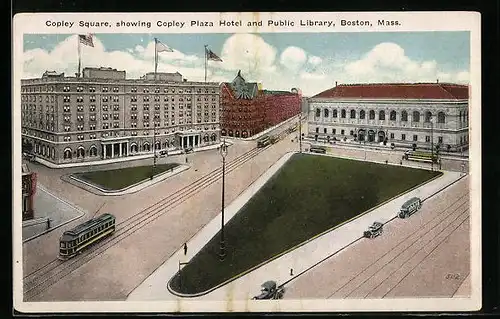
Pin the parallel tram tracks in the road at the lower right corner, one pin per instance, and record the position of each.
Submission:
(439, 224)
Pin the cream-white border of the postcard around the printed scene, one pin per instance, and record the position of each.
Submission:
(35, 23)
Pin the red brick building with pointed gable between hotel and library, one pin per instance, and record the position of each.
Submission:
(248, 110)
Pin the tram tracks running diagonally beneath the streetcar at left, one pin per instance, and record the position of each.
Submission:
(35, 285)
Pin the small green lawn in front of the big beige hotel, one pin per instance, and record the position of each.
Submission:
(116, 179)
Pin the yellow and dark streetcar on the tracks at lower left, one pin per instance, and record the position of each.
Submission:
(73, 241)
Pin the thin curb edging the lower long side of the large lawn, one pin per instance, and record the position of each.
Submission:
(298, 245)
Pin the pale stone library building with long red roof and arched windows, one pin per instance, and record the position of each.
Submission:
(408, 115)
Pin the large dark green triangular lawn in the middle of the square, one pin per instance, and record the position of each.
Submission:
(309, 195)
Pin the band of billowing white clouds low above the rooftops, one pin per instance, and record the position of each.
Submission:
(258, 61)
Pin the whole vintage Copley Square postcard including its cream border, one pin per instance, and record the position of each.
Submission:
(247, 162)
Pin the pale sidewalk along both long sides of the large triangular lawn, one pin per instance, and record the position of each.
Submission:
(300, 259)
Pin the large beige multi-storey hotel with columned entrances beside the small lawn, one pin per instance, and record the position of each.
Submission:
(104, 115)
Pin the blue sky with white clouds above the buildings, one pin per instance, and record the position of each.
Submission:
(310, 61)
